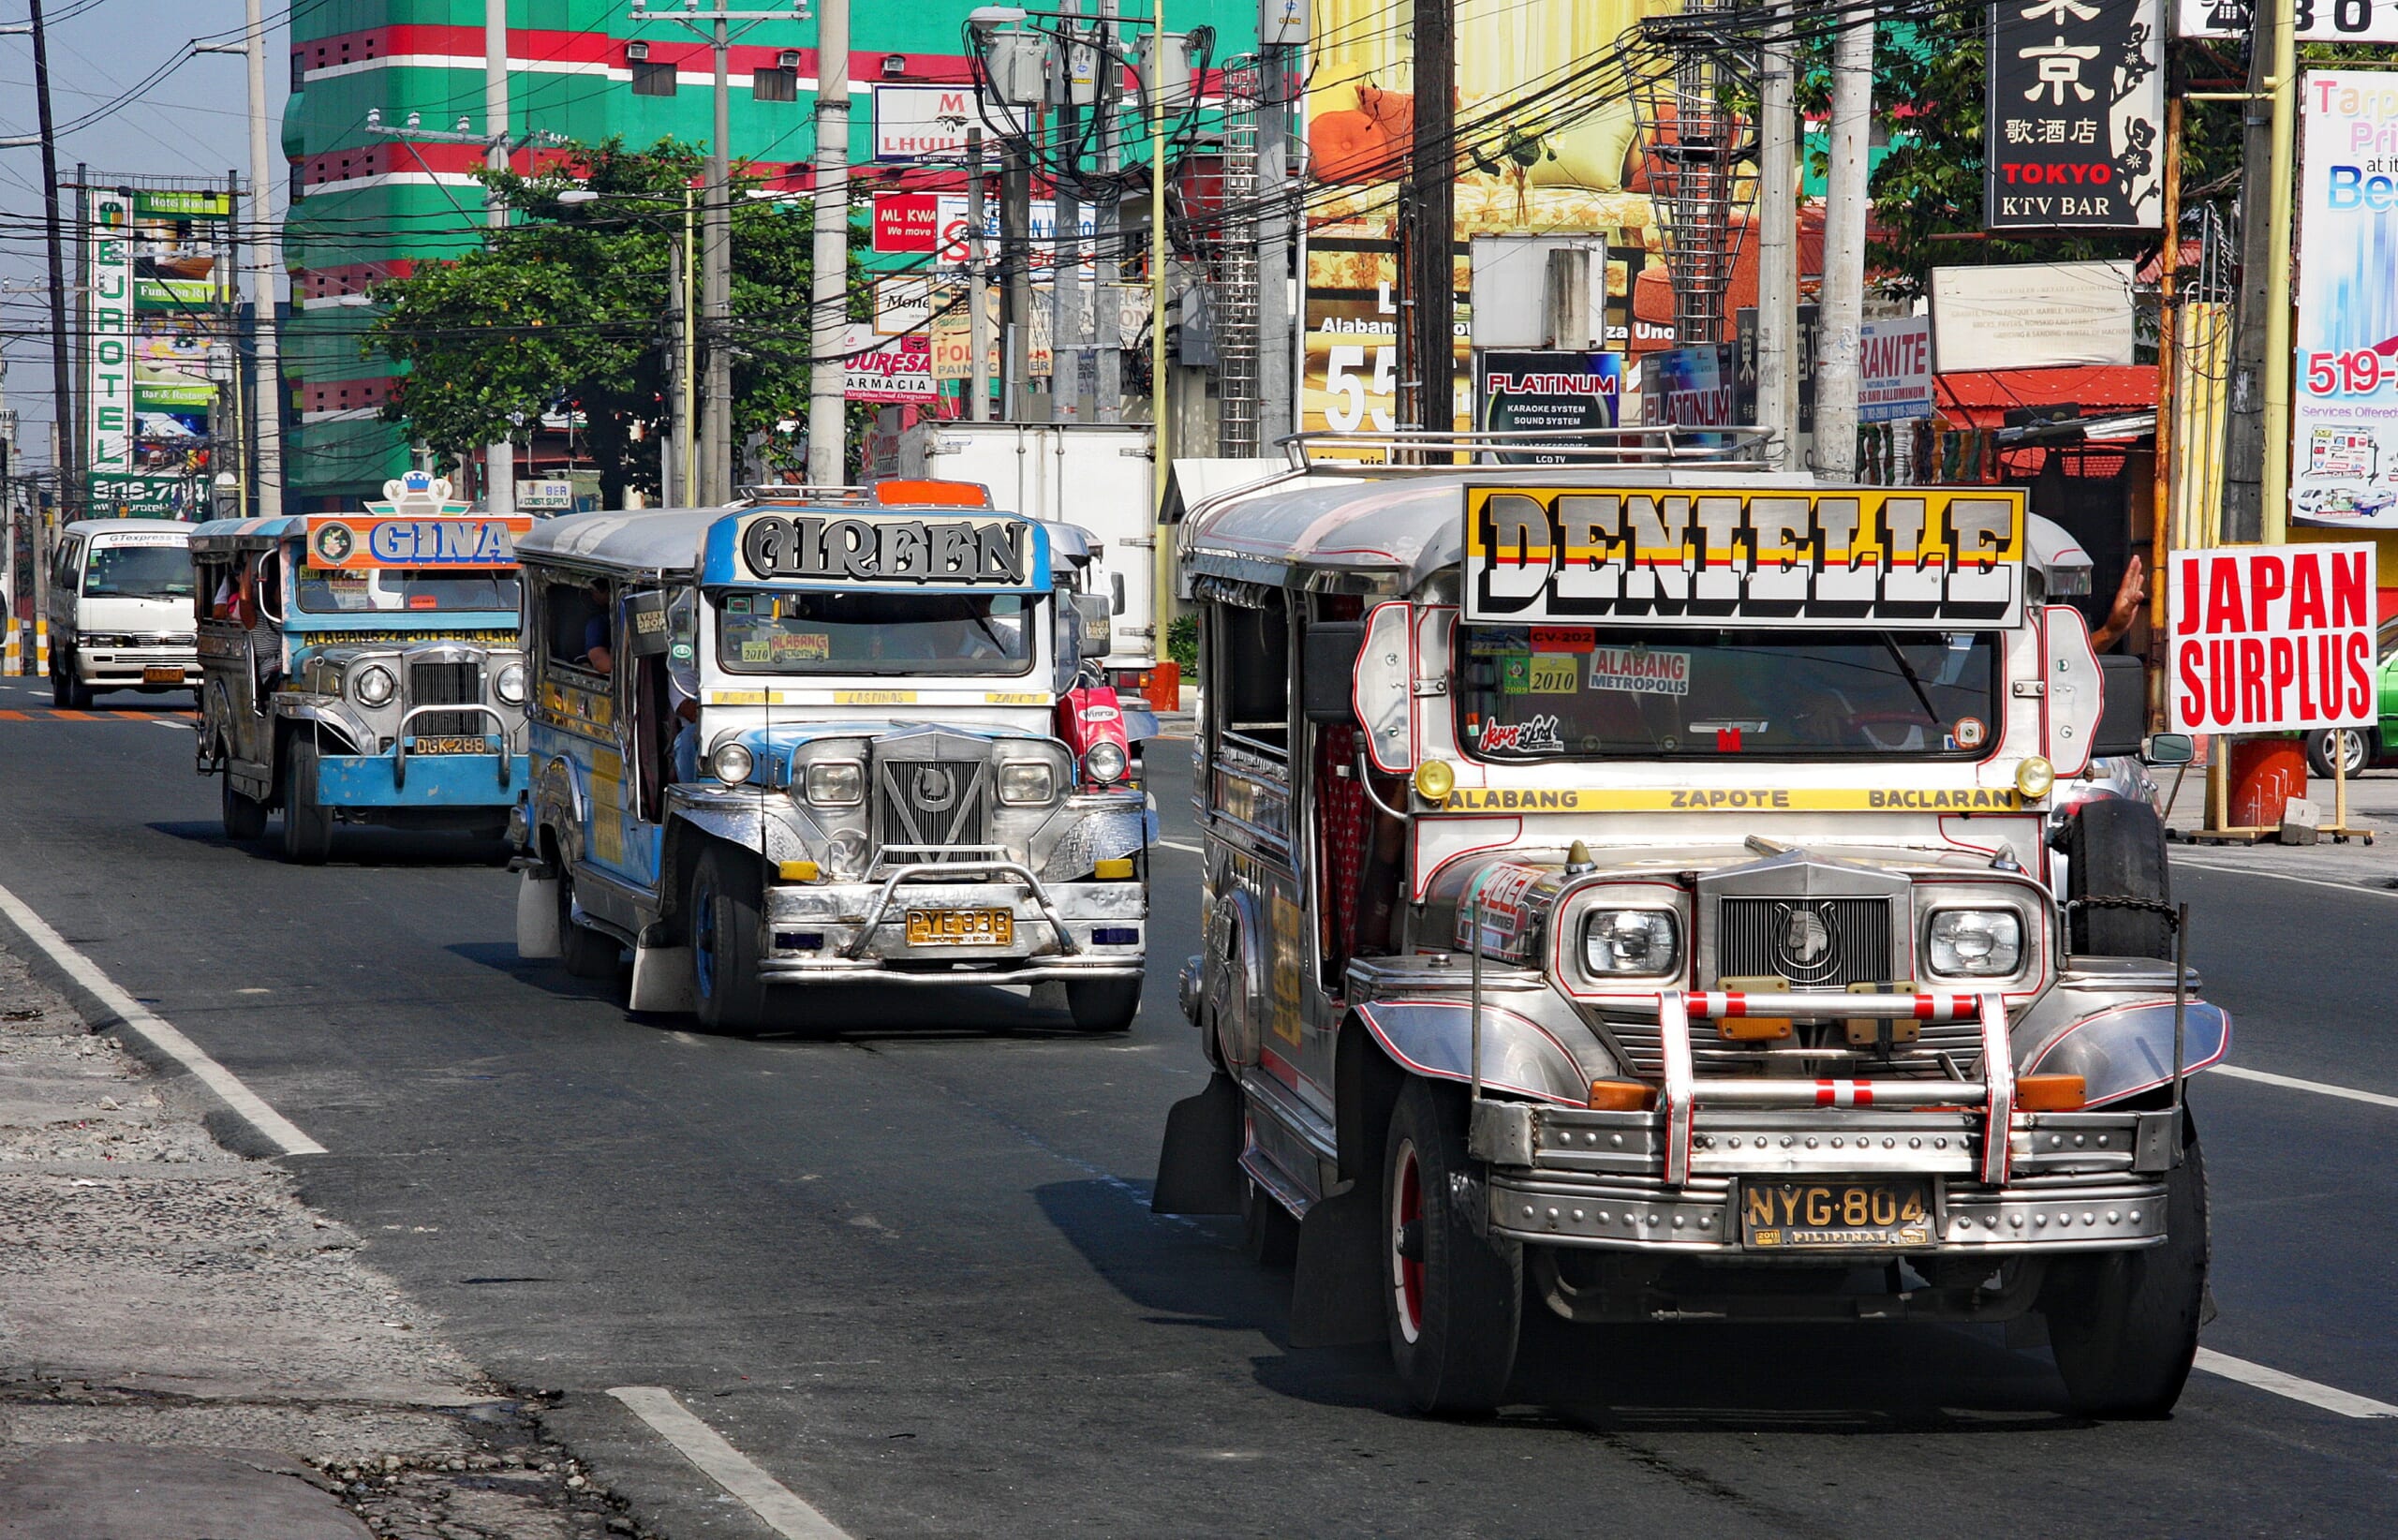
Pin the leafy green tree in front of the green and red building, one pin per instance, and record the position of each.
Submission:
(572, 308)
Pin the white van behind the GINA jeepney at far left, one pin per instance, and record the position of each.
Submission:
(121, 610)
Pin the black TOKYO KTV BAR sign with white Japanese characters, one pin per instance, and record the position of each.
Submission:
(2075, 121)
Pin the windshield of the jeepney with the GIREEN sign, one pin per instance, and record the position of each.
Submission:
(829, 632)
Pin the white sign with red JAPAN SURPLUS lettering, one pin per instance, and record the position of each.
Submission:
(2272, 639)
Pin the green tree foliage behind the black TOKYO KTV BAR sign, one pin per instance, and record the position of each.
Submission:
(1929, 104)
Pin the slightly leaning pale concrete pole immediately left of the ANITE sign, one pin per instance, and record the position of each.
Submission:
(1845, 251)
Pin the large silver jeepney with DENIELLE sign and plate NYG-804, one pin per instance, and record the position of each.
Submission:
(1663, 882)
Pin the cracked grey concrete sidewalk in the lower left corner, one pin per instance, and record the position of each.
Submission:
(188, 1354)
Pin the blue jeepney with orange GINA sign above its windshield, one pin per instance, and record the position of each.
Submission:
(361, 668)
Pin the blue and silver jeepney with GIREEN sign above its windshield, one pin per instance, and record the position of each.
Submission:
(829, 740)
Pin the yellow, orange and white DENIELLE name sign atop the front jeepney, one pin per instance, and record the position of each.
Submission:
(1745, 555)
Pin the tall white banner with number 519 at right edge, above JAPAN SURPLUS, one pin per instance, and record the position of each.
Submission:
(2344, 416)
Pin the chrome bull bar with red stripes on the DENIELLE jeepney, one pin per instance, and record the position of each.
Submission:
(1685, 1090)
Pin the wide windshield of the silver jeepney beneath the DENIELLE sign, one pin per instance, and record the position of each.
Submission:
(1581, 692)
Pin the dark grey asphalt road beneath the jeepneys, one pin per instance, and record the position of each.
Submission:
(903, 1256)
